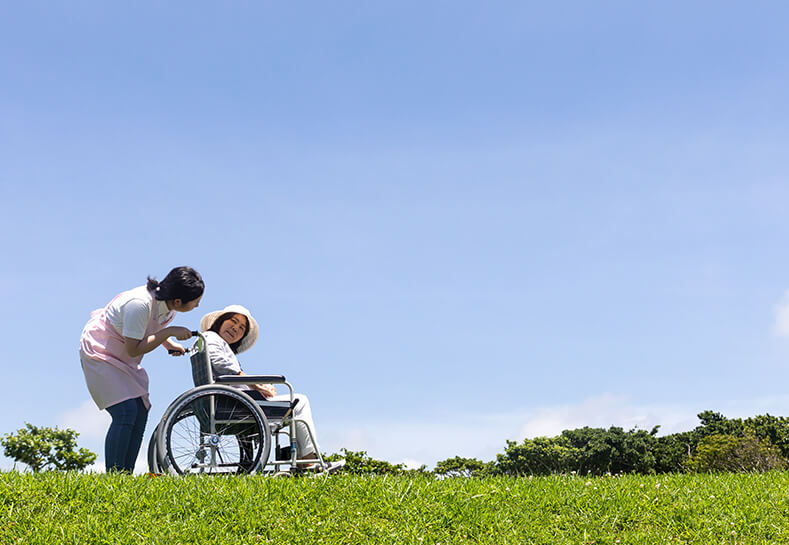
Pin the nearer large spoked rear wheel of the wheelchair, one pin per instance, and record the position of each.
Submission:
(213, 429)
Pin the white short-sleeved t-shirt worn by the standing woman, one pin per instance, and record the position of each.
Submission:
(130, 312)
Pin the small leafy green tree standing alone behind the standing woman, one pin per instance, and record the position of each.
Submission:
(46, 448)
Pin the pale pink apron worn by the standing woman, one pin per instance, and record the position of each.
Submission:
(111, 374)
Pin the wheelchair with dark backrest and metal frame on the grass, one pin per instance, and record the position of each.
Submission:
(215, 428)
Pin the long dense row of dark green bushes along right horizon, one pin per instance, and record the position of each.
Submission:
(718, 443)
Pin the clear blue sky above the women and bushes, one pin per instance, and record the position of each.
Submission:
(457, 223)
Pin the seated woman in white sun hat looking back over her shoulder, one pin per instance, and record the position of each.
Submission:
(233, 330)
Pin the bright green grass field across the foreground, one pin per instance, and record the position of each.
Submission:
(58, 508)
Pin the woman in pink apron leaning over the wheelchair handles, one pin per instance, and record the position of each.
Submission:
(113, 344)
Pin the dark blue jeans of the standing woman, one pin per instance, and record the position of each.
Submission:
(125, 434)
